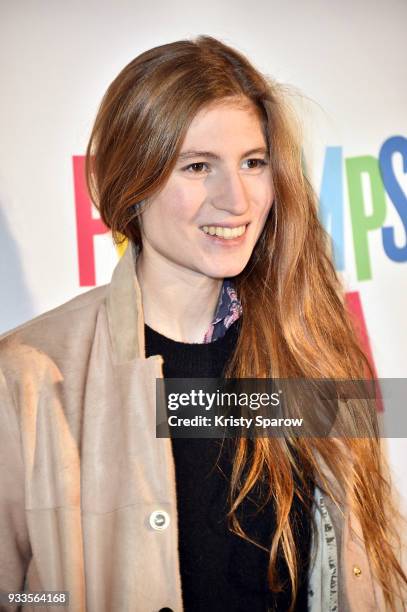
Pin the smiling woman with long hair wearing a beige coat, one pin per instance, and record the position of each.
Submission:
(194, 158)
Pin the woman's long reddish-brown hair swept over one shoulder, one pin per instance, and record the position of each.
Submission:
(299, 326)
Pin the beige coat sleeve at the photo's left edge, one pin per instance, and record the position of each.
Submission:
(14, 541)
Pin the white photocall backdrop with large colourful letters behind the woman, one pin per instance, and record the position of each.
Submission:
(347, 63)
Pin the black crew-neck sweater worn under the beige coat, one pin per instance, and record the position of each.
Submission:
(220, 572)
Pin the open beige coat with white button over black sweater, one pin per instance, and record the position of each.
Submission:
(81, 471)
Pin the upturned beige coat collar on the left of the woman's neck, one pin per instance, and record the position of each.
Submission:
(124, 309)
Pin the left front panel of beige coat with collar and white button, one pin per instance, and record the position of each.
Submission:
(127, 473)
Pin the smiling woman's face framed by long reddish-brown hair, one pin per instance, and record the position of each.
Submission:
(222, 179)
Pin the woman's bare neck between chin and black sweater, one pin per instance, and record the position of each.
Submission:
(177, 302)
